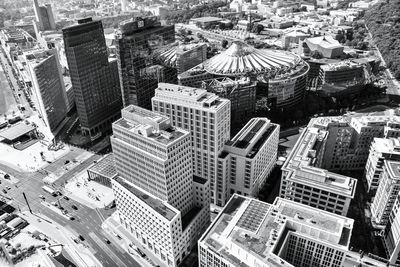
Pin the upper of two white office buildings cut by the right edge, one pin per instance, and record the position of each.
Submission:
(381, 149)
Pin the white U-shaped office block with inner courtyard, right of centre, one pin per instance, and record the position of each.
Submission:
(303, 179)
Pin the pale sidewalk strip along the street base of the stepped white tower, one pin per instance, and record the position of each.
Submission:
(112, 228)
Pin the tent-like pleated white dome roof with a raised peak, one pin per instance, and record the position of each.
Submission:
(241, 59)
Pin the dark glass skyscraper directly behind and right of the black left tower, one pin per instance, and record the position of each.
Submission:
(140, 42)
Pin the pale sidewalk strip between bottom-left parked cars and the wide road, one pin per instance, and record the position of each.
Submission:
(80, 254)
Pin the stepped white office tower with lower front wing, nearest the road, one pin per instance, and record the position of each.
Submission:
(158, 200)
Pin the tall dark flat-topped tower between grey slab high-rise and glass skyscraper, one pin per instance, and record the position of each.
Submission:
(94, 76)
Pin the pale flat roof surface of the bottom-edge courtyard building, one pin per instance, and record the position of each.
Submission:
(261, 229)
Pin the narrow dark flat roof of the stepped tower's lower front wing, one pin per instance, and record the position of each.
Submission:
(154, 203)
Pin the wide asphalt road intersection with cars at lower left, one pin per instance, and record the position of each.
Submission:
(87, 221)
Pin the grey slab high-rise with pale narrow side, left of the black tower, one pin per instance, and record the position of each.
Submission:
(48, 88)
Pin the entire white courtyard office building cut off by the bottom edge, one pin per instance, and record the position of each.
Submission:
(251, 233)
